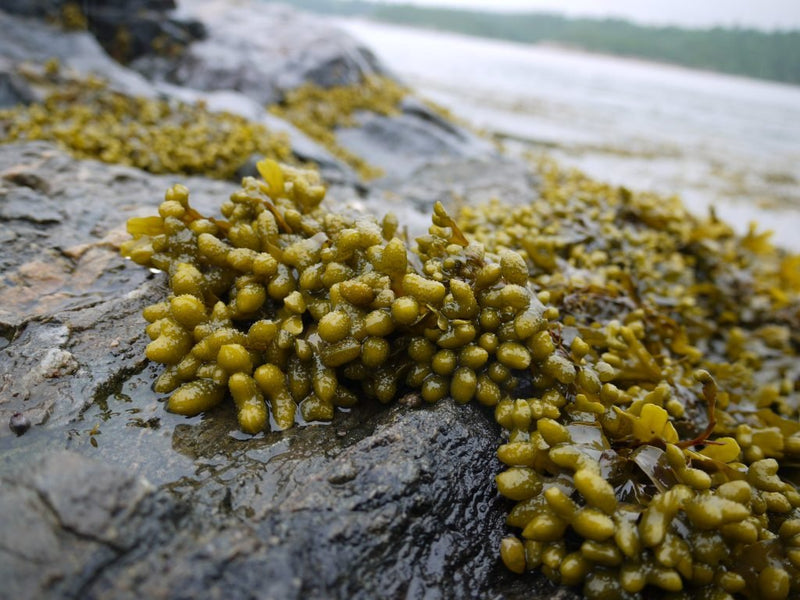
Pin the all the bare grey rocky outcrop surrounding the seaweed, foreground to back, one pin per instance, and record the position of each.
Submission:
(107, 494)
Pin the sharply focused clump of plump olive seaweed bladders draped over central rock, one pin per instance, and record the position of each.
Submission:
(289, 303)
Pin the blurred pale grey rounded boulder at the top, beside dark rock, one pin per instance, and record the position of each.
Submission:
(262, 49)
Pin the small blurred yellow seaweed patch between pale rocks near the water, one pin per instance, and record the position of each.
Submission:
(319, 111)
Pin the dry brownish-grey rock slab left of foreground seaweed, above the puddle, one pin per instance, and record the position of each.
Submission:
(66, 294)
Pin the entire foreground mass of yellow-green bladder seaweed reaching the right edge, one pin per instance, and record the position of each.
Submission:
(641, 362)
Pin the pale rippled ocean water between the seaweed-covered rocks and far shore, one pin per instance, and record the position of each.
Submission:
(712, 139)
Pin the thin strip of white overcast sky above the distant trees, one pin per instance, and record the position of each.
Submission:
(762, 14)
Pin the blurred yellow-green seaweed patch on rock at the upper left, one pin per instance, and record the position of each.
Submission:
(92, 121)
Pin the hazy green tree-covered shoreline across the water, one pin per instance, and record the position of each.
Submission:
(767, 56)
